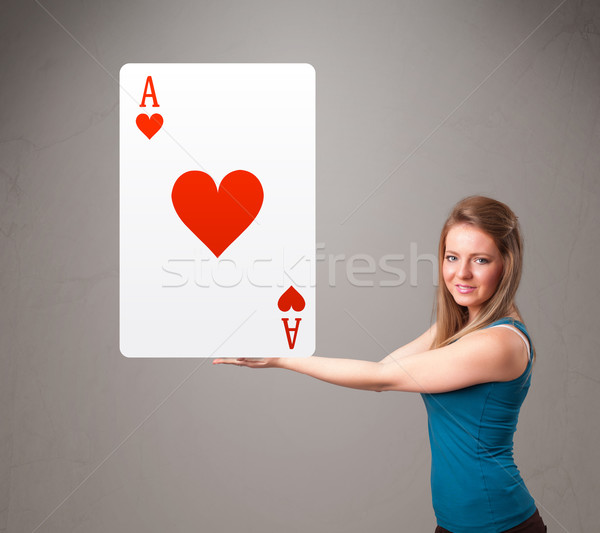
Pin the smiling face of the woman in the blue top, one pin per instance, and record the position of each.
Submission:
(472, 266)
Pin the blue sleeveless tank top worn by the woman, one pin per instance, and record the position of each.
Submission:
(475, 484)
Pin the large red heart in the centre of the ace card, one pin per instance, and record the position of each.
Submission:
(217, 217)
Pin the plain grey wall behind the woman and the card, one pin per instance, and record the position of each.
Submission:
(419, 103)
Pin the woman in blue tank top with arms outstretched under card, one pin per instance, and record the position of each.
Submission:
(472, 368)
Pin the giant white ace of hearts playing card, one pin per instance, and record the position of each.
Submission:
(217, 210)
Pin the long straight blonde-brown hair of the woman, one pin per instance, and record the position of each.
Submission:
(499, 222)
